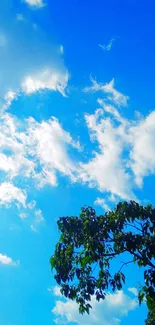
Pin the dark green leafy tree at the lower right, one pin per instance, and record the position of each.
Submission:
(89, 243)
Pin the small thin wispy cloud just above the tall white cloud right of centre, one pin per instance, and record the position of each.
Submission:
(113, 95)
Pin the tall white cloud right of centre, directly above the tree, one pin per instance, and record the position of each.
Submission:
(107, 170)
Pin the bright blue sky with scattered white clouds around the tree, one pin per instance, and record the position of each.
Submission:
(77, 126)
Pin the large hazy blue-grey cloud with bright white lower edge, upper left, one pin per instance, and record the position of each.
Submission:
(34, 54)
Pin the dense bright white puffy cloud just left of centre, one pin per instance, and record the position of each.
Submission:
(48, 144)
